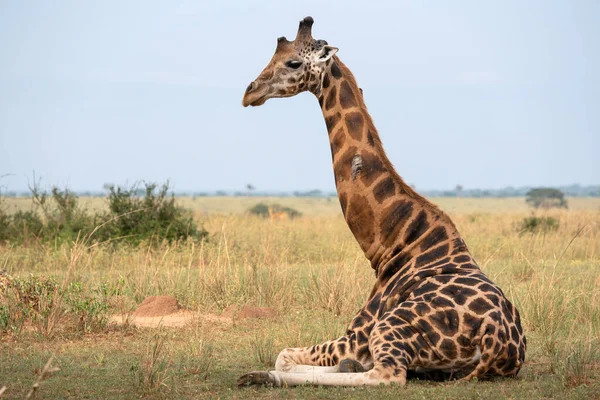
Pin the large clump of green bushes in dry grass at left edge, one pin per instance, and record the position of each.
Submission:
(134, 216)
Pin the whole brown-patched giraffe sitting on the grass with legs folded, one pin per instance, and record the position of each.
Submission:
(431, 307)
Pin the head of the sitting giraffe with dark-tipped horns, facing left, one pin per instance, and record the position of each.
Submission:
(296, 67)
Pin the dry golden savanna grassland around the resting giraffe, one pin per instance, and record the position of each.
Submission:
(313, 274)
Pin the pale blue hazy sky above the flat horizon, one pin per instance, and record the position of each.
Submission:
(485, 94)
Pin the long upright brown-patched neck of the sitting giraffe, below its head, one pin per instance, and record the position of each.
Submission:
(386, 216)
